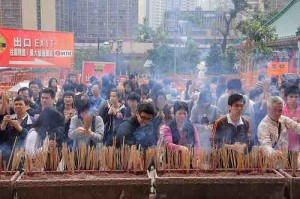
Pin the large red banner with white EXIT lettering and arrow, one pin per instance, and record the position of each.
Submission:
(36, 49)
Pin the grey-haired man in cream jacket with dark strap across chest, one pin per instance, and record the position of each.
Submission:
(272, 131)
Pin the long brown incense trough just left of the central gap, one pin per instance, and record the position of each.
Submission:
(83, 185)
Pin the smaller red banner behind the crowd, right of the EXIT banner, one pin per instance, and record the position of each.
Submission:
(97, 69)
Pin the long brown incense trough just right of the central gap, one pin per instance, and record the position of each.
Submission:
(220, 184)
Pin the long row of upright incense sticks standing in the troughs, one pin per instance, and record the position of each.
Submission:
(133, 158)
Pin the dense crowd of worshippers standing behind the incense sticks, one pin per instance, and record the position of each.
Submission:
(152, 114)
